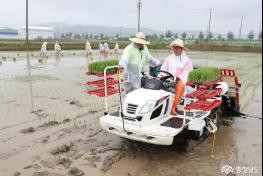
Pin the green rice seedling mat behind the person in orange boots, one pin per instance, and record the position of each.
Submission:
(205, 74)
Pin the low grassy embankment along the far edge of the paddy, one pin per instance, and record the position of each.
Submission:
(80, 45)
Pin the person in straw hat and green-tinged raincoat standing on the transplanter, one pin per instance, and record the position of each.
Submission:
(132, 60)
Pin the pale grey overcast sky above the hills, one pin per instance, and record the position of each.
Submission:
(156, 14)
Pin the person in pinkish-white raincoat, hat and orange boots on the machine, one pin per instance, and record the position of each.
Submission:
(179, 65)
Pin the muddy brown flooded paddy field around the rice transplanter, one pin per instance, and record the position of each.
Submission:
(49, 125)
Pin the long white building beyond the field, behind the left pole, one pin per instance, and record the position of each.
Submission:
(37, 33)
